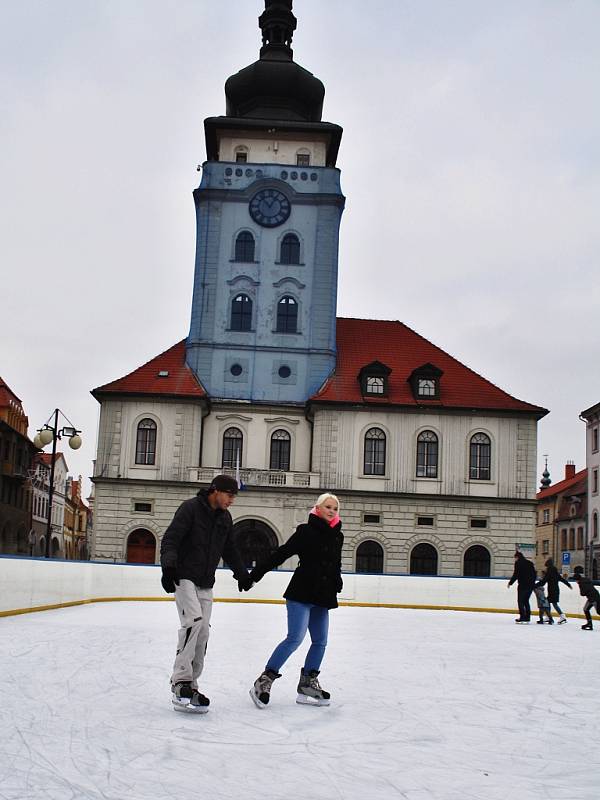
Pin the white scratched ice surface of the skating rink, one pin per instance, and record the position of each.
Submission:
(425, 704)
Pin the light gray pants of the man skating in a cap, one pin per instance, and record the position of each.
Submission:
(194, 607)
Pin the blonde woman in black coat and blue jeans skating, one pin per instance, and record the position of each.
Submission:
(311, 593)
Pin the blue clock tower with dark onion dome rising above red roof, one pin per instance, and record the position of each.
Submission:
(268, 212)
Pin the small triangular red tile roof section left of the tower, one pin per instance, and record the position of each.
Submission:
(179, 380)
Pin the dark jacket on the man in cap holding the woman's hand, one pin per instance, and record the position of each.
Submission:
(197, 539)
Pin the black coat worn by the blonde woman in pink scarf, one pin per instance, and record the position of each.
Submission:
(317, 578)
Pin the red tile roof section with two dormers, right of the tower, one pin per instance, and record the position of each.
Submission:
(362, 341)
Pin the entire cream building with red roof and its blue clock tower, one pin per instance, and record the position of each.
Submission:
(434, 465)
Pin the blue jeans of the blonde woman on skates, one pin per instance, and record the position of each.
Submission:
(302, 617)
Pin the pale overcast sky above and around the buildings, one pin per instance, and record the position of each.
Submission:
(470, 162)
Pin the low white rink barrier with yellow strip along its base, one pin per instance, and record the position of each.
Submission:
(34, 584)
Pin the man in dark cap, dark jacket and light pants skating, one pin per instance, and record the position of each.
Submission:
(200, 534)
